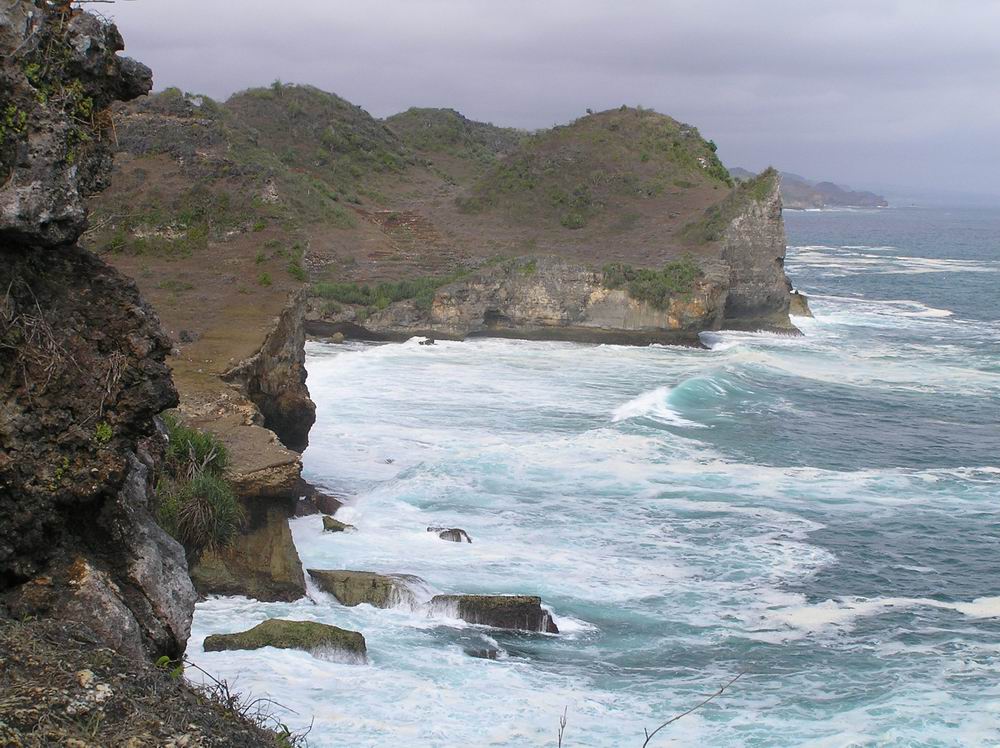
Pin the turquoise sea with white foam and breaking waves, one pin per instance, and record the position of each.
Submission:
(818, 513)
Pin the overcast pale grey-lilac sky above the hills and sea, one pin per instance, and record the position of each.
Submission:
(864, 92)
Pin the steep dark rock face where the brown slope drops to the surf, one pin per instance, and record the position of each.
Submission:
(275, 377)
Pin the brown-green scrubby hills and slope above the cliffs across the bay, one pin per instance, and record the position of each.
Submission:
(220, 209)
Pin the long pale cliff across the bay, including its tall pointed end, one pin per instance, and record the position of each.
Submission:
(736, 279)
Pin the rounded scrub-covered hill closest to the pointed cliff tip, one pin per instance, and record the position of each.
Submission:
(573, 173)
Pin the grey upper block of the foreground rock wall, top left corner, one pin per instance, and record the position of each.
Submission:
(49, 161)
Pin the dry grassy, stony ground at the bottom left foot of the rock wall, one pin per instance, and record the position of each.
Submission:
(63, 686)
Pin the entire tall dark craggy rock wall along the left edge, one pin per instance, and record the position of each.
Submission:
(82, 372)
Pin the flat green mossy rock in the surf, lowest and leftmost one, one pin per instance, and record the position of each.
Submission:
(308, 636)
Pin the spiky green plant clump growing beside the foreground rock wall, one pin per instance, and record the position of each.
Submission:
(196, 503)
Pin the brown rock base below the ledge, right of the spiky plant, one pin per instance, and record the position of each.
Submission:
(262, 564)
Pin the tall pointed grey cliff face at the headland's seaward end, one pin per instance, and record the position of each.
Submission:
(753, 246)
